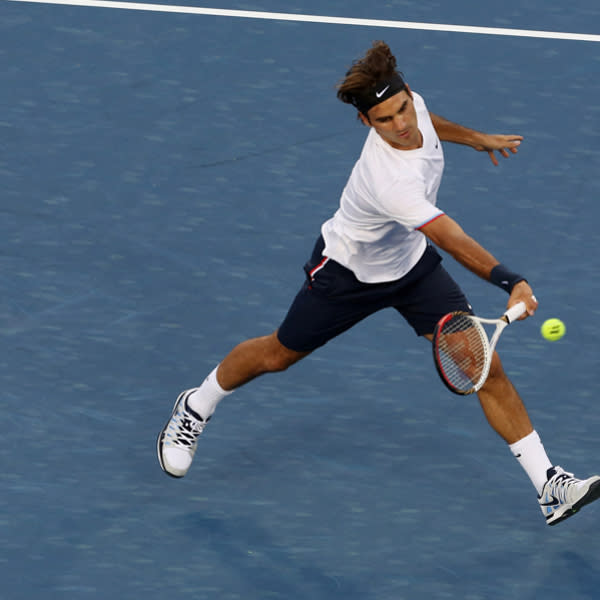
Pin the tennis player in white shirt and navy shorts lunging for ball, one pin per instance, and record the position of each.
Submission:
(379, 251)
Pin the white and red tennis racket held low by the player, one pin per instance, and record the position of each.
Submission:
(462, 351)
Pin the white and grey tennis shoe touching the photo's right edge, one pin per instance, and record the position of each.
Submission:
(563, 495)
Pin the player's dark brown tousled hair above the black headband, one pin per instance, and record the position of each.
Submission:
(378, 64)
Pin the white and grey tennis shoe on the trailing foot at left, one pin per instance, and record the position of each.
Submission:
(178, 439)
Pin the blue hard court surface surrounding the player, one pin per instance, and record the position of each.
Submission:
(163, 180)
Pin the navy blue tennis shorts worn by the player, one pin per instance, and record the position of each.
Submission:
(332, 300)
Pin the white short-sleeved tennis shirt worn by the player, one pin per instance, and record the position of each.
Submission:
(389, 195)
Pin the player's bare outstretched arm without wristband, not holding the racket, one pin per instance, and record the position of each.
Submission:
(482, 142)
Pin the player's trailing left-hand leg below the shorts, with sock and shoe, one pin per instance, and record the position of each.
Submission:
(178, 439)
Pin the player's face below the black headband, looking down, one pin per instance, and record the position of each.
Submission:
(395, 120)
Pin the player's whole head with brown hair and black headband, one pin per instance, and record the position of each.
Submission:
(383, 99)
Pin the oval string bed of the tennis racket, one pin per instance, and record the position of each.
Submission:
(462, 352)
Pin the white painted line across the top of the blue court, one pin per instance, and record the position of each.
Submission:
(250, 14)
